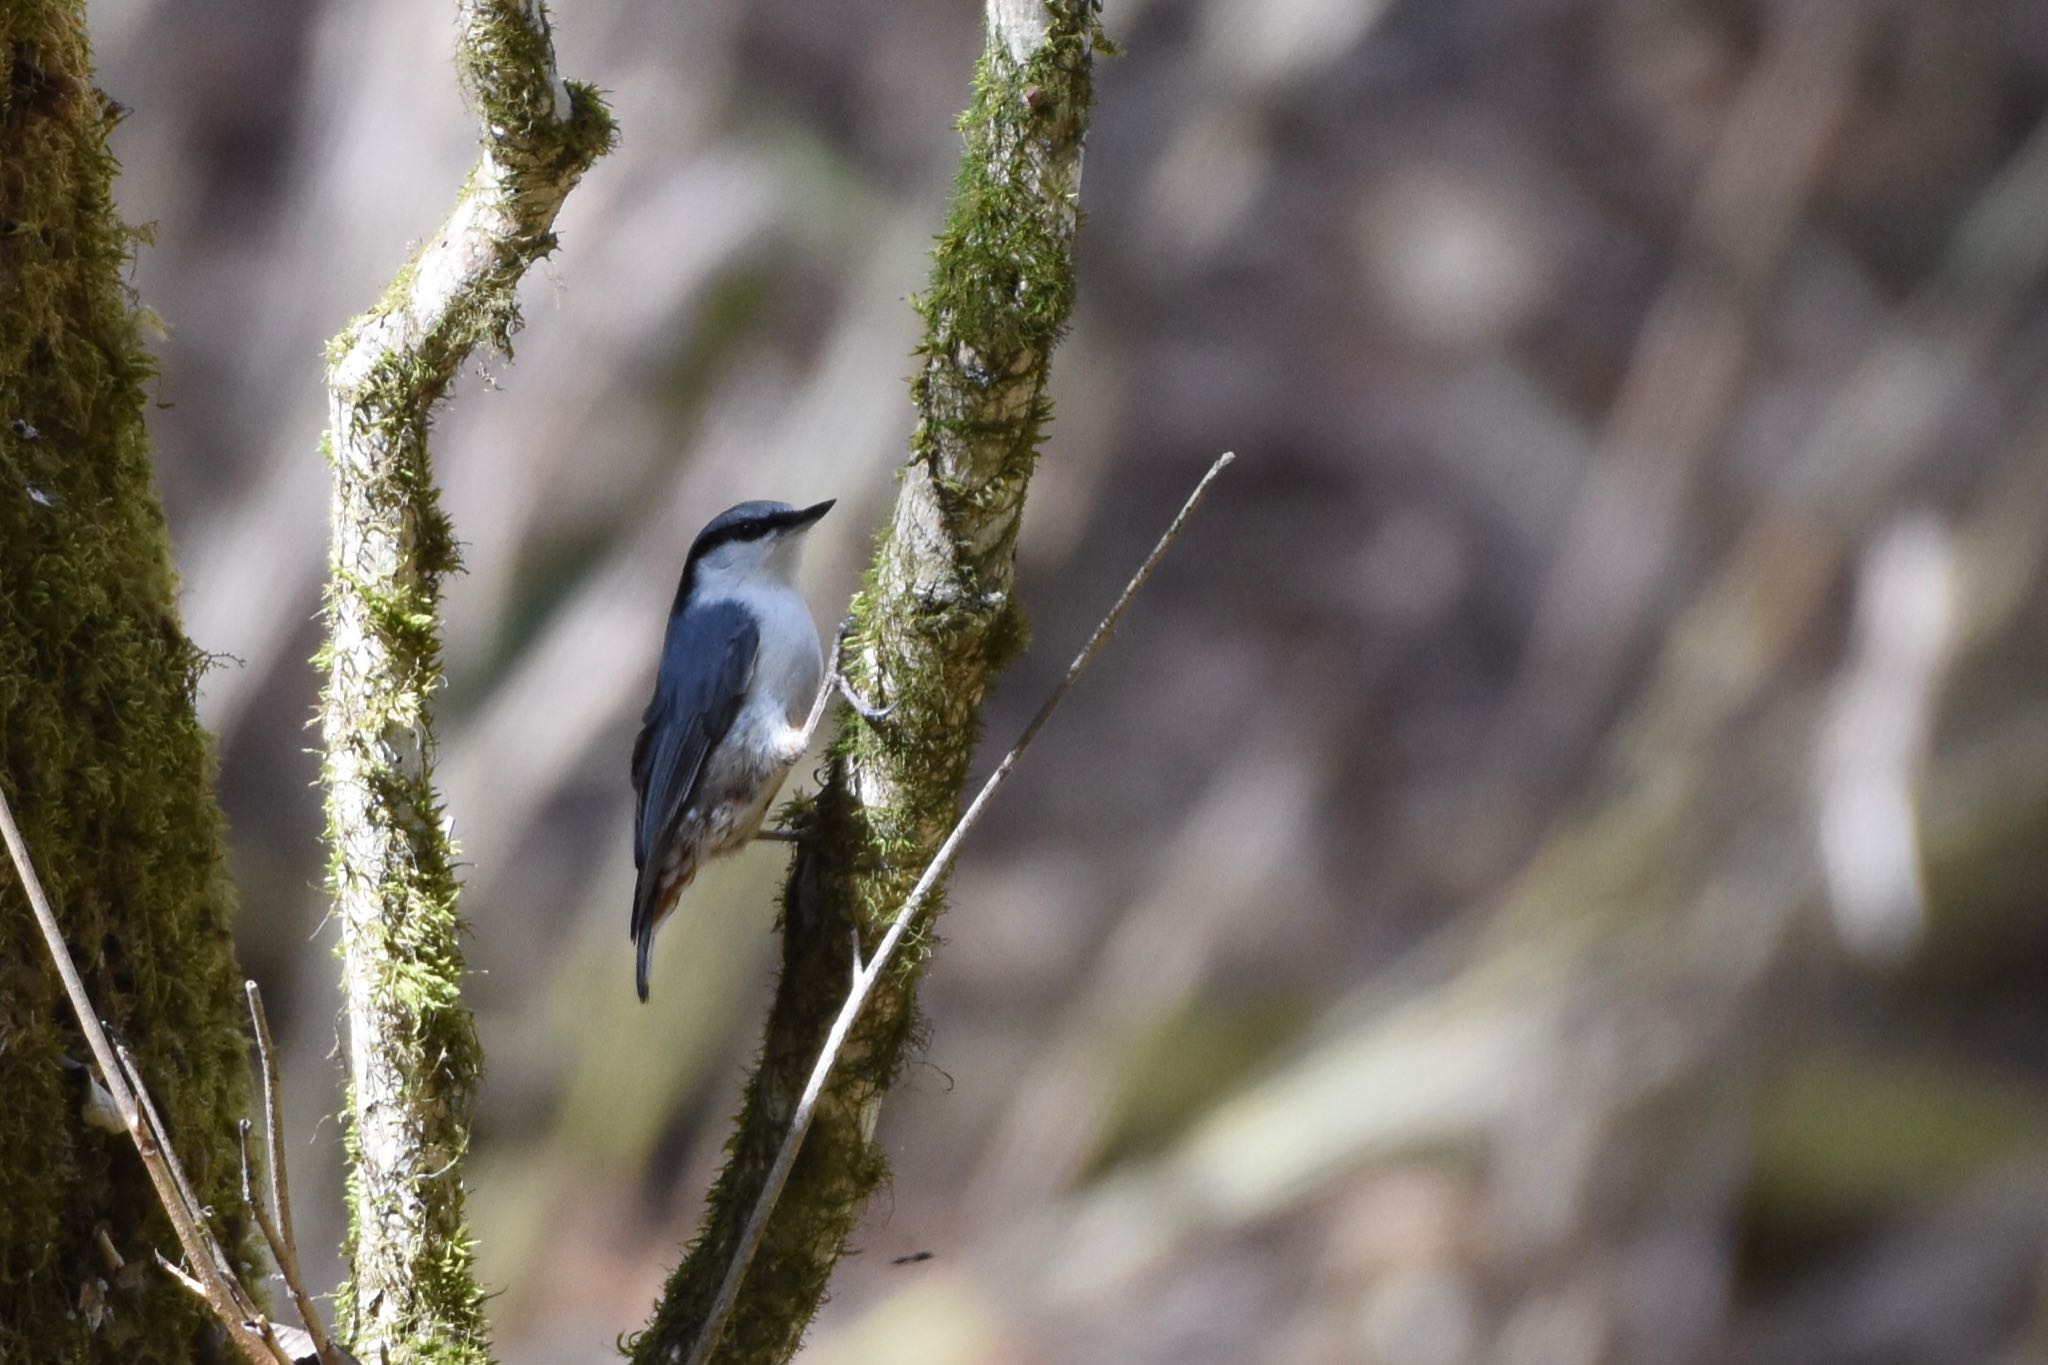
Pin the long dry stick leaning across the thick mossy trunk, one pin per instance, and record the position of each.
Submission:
(151, 1141)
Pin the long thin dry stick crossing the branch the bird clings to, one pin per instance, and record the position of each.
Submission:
(867, 975)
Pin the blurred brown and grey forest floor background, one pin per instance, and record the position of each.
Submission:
(1551, 871)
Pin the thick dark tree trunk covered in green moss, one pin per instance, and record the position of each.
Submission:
(101, 756)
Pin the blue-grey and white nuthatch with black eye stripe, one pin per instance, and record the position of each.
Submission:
(736, 699)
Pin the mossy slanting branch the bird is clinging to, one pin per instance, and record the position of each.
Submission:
(933, 627)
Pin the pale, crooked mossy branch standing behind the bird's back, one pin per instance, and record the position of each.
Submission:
(413, 1053)
